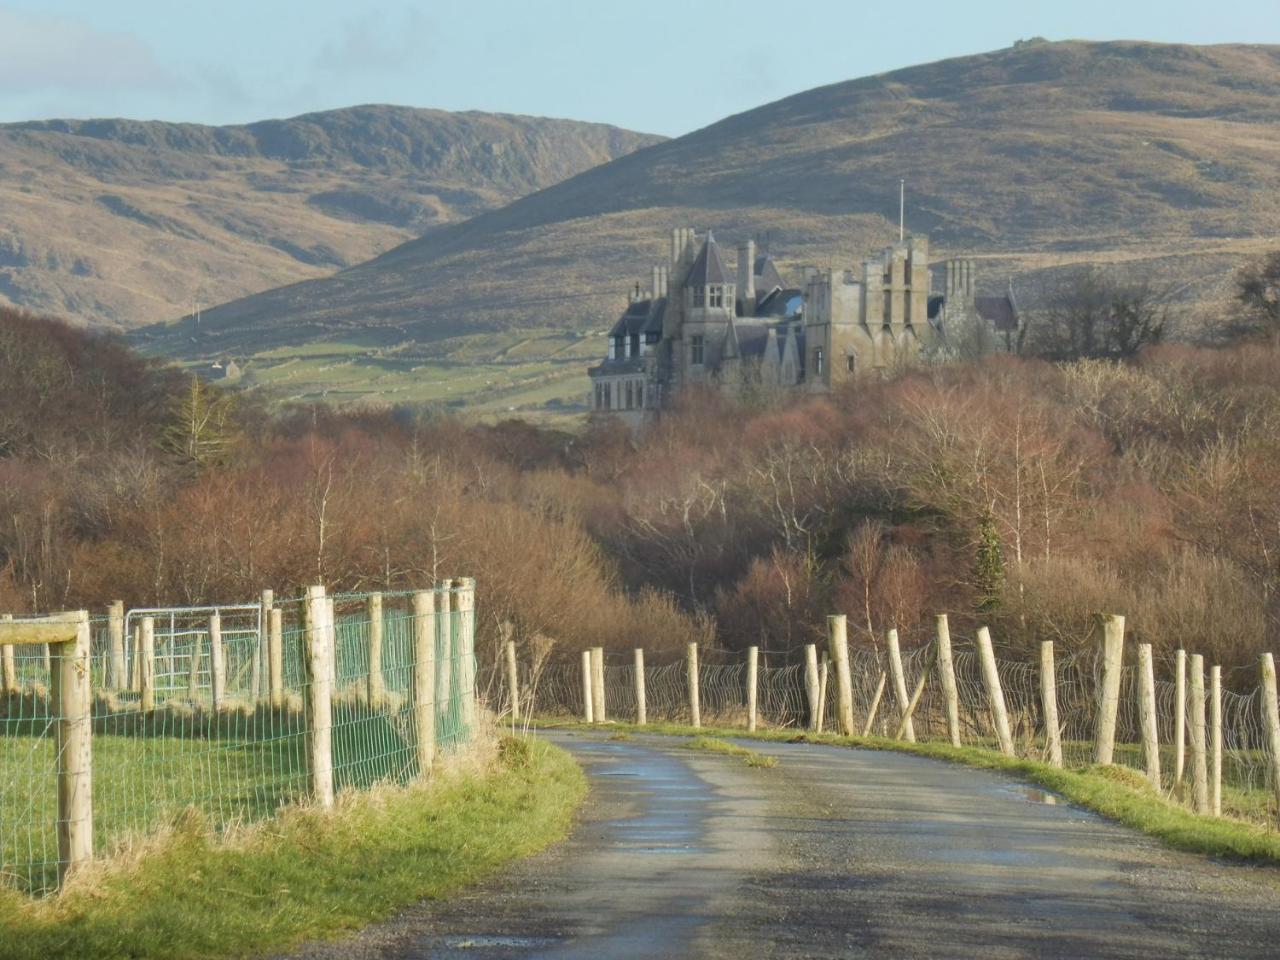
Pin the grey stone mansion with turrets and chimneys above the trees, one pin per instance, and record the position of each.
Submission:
(702, 324)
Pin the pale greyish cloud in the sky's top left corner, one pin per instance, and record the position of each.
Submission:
(42, 53)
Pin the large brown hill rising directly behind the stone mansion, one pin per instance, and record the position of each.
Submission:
(1028, 158)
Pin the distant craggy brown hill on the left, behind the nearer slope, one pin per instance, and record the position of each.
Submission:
(125, 223)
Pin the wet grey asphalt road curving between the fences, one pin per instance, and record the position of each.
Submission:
(834, 853)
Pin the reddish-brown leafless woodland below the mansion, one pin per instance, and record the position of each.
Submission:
(1018, 492)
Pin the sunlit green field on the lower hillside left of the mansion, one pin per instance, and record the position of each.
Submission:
(536, 374)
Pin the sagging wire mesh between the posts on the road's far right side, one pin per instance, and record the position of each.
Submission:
(1247, 784)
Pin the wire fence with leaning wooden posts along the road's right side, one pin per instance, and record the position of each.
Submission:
(1203, 738)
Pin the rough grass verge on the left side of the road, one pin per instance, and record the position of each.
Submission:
(305, 875)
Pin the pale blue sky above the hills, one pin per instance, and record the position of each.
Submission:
(662, 67)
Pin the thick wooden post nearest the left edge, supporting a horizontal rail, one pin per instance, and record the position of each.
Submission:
(75, 749)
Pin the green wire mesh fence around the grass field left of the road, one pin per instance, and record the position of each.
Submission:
(212, 712)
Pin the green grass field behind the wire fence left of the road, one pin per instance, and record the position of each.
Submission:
(240, 770)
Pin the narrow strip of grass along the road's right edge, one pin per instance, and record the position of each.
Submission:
(1117, 793)
